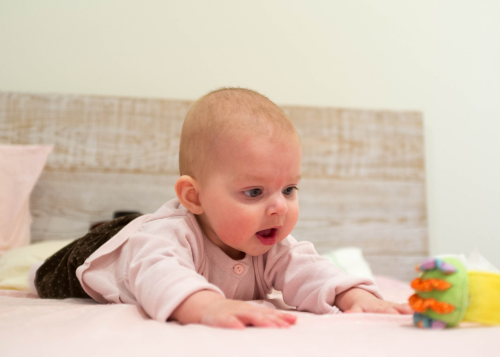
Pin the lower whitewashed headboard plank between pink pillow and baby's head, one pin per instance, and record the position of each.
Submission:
(61, 210)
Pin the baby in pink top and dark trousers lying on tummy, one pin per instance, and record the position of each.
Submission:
(224, 240)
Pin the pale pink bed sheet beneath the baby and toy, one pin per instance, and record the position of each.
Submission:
(75, 327)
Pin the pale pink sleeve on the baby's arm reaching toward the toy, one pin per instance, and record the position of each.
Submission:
(307, 280)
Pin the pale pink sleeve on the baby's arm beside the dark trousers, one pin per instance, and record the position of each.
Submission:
(155, 267)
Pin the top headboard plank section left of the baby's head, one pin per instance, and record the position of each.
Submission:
(97, 134)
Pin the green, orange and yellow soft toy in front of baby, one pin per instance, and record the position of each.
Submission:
(447, 294)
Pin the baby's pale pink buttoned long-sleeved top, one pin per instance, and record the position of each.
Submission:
(160, 259)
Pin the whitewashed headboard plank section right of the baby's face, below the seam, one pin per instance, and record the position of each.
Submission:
(381, 218)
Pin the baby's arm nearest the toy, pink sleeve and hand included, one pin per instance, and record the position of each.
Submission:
(312, 283)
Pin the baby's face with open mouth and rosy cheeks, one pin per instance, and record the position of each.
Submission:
(249, 197)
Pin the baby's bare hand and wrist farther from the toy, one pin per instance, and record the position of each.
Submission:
(212, 309)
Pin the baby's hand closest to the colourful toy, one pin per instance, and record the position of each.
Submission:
(359, 300)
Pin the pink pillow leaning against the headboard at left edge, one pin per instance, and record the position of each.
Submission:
(20, 167)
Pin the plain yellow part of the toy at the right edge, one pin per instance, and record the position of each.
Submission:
(484, 290)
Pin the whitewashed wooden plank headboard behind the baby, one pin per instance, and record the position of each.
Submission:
(363, 170)
